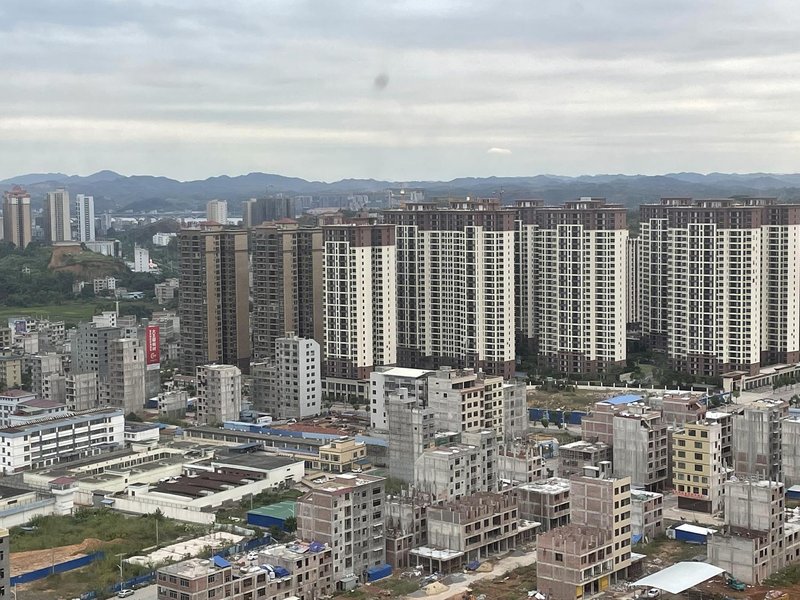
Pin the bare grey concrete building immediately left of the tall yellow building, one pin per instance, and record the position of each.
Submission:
(640, 447)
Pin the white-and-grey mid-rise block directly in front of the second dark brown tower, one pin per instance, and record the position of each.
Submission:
(290, 386)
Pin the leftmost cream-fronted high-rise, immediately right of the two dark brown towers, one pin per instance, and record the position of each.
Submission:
(360, 304)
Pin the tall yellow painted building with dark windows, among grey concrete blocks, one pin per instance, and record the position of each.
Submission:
(698, 472)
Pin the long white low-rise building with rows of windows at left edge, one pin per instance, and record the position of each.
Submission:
(46, 442)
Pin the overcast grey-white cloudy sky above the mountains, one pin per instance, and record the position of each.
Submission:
(418, 89)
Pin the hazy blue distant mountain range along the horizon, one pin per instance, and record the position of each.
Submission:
(138, 193)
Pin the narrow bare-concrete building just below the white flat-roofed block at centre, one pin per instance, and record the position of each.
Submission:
(411, 431)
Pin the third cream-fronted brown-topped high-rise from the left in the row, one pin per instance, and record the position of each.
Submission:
(580, 282)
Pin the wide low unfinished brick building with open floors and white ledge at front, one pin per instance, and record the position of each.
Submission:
(473, 528)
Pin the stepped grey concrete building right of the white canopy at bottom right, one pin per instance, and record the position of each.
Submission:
(752, 545)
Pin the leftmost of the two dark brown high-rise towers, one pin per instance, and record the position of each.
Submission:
(214, 303)
